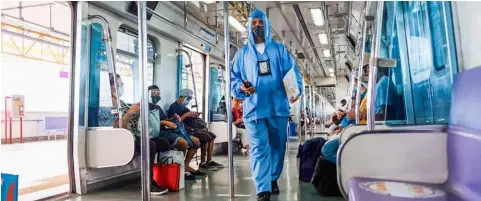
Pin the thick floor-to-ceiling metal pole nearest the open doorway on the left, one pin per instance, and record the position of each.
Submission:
(144, 103)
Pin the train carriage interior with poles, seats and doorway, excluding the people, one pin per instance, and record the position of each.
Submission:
(404, 74)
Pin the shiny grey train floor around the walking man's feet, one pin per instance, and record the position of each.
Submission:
(214, 186)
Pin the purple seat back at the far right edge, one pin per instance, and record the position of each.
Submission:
(464, 138)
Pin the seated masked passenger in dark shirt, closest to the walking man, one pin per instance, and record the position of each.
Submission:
(189, 118)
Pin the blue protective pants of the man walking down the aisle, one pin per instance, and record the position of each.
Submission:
(267, 138)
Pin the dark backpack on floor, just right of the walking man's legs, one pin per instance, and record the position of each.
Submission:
(307, 154)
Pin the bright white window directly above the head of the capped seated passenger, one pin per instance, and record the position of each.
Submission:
(198, 66)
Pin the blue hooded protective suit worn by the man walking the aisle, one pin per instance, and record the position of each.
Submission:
(267, 110)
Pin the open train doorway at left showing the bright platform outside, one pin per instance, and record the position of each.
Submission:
(35, 71)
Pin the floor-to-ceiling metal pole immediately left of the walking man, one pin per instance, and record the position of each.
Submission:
(227, 99)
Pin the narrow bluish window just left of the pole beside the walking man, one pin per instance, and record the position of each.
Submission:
(217, 110)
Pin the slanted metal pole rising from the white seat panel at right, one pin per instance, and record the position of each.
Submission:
(371, 116)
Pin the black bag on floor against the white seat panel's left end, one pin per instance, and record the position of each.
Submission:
(325, 178)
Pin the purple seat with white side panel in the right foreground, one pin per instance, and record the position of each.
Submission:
(437, 164)
